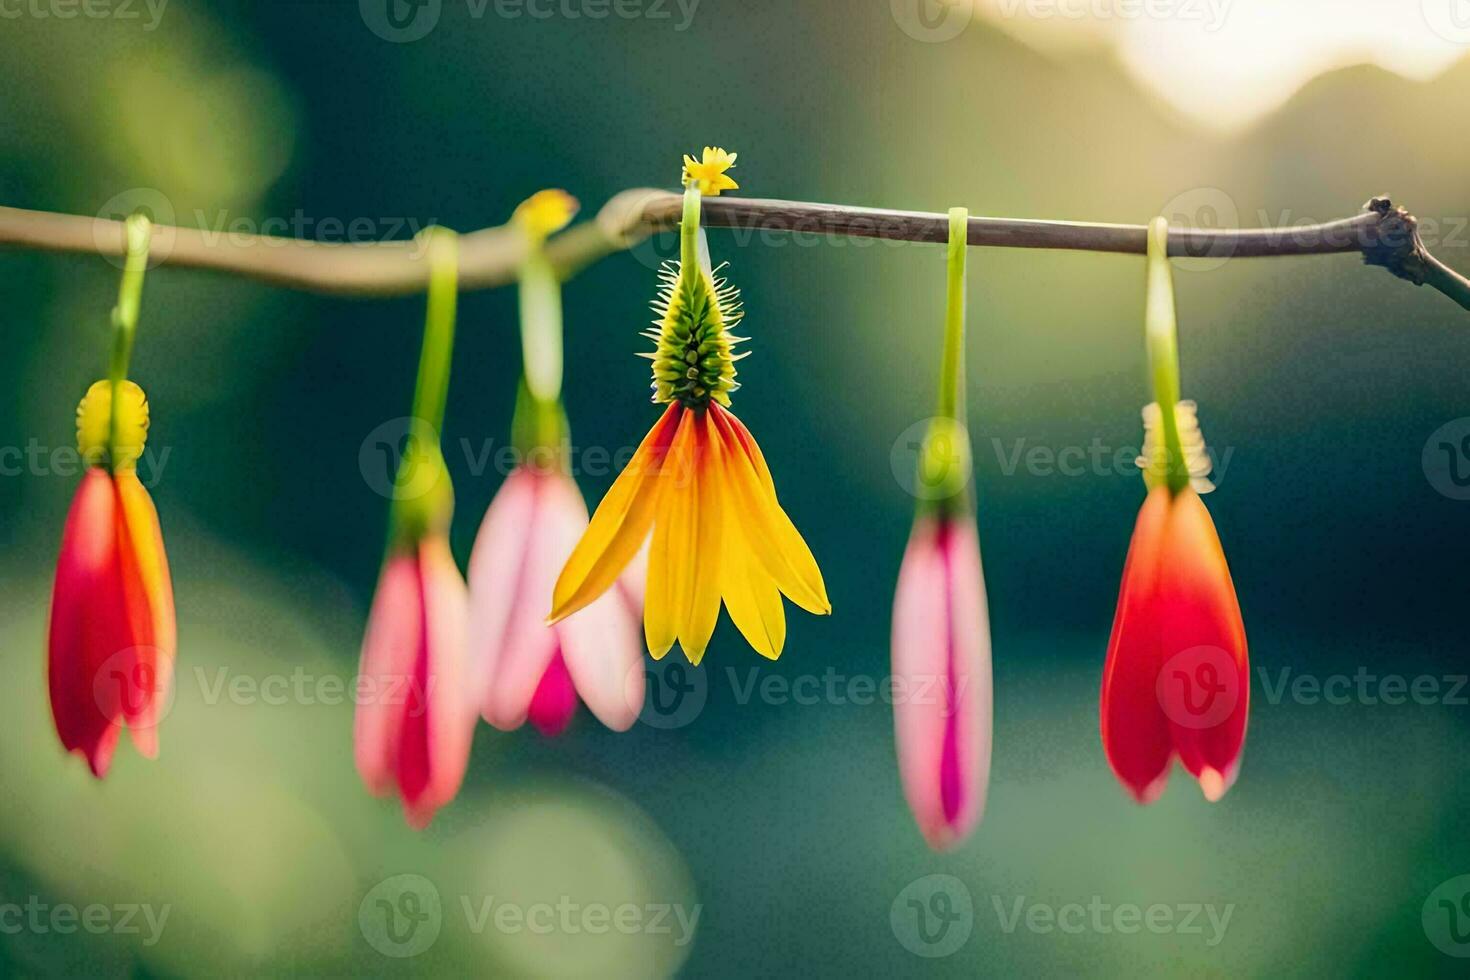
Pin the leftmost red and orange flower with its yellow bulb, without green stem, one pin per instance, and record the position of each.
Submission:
(112, 634)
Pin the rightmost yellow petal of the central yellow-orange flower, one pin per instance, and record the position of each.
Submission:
(770, 531)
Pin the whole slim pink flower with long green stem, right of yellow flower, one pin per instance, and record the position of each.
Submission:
(942, 643)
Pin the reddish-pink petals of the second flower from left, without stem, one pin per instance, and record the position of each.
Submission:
(414, 716)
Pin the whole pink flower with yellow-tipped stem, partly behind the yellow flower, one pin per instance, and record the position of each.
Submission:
(527, 669)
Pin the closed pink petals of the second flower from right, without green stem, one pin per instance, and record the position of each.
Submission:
(943, 680)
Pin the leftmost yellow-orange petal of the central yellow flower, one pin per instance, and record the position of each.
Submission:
(620, 527)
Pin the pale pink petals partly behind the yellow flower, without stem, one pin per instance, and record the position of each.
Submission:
(526, 668)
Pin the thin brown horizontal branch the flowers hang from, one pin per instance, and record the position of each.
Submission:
(1383, 234)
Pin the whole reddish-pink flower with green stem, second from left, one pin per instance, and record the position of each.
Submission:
(415, 713)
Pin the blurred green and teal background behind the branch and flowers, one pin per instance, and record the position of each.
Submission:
(775, 818)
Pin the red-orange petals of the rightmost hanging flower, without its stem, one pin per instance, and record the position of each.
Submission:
(1178, 674)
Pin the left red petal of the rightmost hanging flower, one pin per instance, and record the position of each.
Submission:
(1136, 729)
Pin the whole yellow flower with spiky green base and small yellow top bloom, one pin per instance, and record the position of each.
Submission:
(699, 484)
